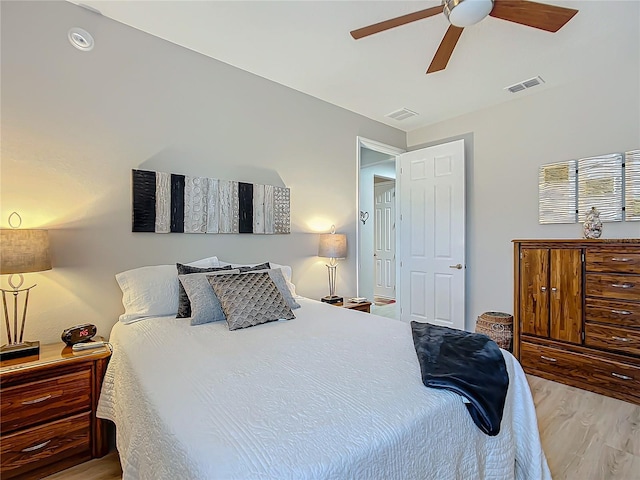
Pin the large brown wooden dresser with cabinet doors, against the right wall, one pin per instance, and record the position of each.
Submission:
(577, 313)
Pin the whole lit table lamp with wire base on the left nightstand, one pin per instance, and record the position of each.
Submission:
(23, 251)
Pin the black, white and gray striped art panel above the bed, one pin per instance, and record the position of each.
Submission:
(171, 203)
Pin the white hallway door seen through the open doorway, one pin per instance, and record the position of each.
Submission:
(384, 240)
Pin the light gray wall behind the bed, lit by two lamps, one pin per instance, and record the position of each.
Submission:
(74, 124)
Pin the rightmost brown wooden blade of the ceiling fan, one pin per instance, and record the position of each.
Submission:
(532, 14)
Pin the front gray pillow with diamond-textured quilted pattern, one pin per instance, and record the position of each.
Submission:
(249, 299)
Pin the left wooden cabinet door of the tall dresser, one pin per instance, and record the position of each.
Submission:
(534, 294)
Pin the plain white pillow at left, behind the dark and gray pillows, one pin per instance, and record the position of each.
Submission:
(152, 291)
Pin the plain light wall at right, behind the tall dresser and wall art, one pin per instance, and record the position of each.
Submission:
(598, 115)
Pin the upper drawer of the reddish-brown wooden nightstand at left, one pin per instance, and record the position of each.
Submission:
(40, 401)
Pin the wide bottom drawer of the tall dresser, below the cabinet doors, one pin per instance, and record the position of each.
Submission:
(582, 370)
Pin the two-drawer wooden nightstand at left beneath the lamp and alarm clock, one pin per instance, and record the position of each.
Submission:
(48, 420)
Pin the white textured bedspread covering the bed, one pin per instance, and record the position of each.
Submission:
(333, 394)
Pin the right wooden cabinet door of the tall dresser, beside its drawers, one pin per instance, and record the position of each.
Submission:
(566, 295)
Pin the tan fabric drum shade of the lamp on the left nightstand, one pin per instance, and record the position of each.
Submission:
(24, 251)
